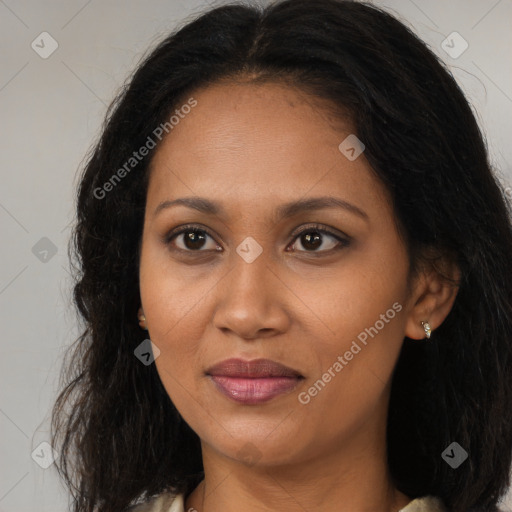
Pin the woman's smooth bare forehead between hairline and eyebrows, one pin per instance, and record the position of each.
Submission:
(253, 144)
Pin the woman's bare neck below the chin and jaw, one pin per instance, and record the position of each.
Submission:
(354, 478)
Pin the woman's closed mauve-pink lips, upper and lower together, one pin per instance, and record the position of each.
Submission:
(253, 382)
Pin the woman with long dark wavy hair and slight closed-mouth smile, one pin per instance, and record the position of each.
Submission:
(294, 277)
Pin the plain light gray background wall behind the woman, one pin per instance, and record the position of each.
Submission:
(51, 111)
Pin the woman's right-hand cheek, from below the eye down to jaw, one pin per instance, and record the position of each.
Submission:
(362, 313)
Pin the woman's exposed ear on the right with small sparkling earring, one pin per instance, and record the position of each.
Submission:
(433, 293)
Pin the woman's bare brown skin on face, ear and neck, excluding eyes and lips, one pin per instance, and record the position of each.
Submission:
(252, 148)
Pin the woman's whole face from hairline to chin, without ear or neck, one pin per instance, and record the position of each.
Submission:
(331, 303)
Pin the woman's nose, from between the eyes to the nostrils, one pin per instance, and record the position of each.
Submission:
(251, 300)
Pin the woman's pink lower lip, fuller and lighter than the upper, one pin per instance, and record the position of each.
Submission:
(254, 390)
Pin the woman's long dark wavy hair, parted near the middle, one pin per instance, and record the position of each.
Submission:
(119, 435)
